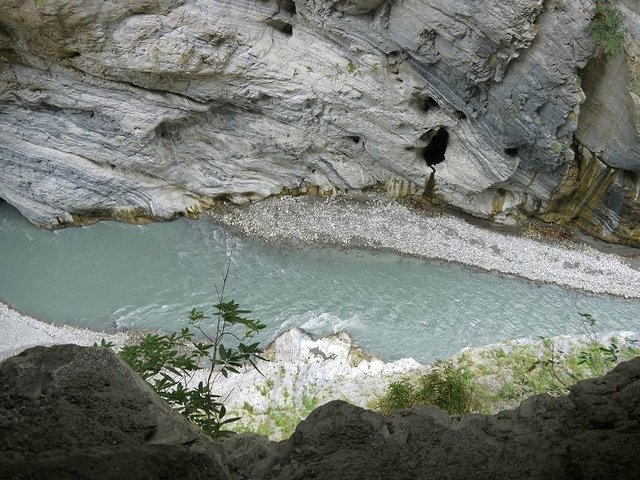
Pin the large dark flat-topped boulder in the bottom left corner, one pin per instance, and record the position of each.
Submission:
(76, 412)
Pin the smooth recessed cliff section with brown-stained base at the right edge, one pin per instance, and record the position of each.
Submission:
(601, 192)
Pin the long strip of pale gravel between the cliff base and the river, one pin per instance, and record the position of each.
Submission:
(380, 223)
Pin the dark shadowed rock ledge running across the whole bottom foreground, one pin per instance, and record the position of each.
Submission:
(73, 412)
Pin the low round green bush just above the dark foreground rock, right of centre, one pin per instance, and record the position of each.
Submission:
(446, 386)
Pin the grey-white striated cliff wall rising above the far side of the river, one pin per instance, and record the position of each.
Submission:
(156, 108)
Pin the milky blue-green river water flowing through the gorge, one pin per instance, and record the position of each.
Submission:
(111, 274)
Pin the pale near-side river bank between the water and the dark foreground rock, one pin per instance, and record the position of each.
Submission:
(304, 372)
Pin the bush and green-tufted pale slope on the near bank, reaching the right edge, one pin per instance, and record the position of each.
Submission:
(501, 377)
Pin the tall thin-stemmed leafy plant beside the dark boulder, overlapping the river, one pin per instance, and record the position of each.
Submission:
(170, 362)
